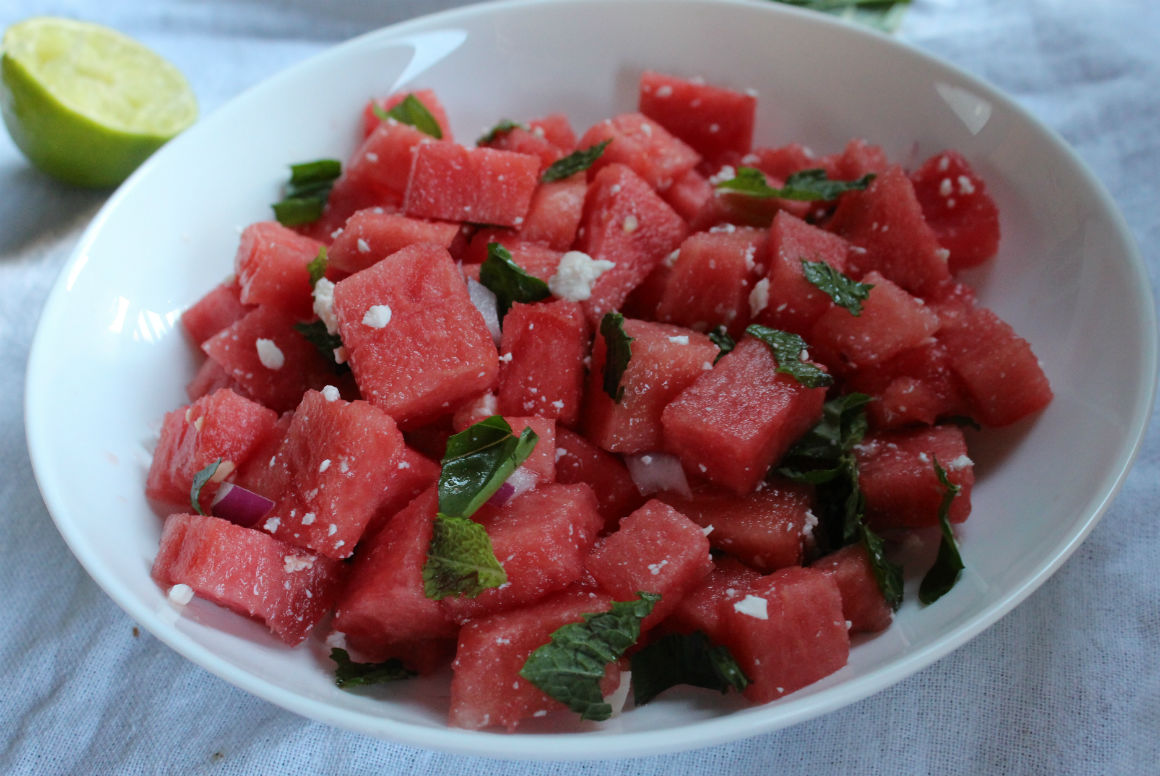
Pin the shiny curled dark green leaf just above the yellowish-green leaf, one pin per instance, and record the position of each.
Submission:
(477, 462)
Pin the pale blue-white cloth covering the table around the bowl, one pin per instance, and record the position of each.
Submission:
(1068, 684)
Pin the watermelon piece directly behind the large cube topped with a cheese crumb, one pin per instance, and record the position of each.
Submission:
(373, 235)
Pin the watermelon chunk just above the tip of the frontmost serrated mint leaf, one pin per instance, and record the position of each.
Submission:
(655, 550)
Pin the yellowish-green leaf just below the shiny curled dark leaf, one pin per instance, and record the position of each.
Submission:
(460, 560)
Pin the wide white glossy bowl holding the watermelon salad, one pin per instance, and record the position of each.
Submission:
(110, 358)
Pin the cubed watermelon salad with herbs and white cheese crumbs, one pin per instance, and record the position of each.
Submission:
(582, 416)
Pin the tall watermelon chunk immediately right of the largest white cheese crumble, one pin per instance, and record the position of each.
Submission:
(625, 222)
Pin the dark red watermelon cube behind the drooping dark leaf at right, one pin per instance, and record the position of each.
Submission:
(897, 476)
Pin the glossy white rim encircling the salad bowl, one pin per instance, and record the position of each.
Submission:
(579, 746)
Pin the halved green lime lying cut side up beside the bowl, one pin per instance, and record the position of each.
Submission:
(86, 104)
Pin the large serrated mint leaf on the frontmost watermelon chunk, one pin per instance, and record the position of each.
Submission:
(571, 666)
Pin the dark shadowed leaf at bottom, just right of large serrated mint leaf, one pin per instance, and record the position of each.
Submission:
(684, 659)
